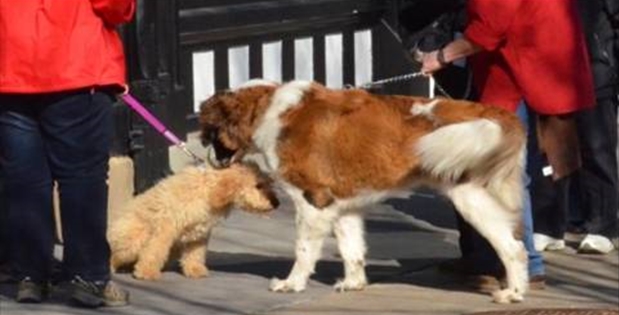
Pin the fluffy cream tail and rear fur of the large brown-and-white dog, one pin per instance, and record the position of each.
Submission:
(480, 150)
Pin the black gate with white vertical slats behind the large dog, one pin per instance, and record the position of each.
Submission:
(180, 51)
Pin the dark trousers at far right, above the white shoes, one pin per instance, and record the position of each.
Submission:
(587, 200)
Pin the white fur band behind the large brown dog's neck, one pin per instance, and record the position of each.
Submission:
(265, 138)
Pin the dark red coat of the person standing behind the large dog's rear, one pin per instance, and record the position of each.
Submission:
(534, 49)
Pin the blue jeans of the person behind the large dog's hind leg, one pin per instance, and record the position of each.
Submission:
(479, 252)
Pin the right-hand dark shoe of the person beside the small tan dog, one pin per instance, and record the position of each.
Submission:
(94, 294)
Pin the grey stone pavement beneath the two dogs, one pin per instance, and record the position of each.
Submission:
(406, 239)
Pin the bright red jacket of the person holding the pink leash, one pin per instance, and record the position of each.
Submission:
(58, 45)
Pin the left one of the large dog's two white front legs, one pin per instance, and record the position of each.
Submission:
(313, 225)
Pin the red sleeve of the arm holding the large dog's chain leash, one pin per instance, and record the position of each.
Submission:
(489, 20)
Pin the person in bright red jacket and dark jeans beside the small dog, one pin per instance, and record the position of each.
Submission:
(60, 64)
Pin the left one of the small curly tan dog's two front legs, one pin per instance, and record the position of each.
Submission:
(155, 253)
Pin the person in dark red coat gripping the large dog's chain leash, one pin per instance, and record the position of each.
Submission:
(532, 51)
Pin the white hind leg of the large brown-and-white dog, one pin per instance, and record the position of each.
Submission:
(497, 224)
